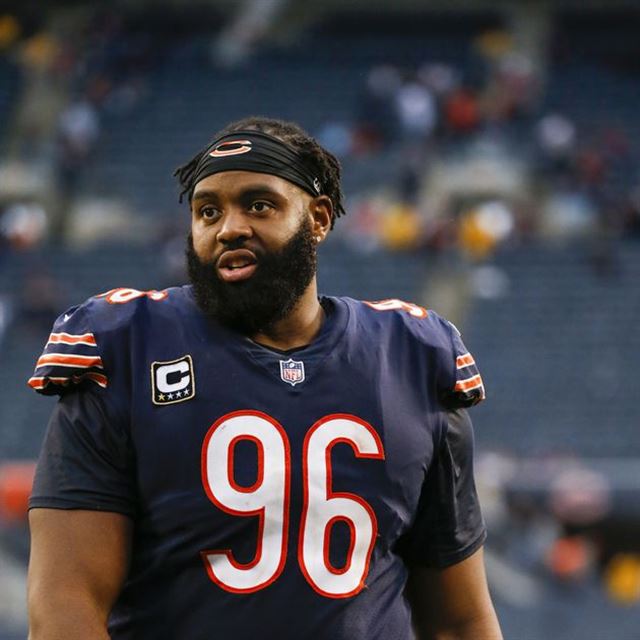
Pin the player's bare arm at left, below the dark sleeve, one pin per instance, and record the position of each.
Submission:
(79, 561)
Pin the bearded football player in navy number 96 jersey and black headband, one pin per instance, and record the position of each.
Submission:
(241, 457)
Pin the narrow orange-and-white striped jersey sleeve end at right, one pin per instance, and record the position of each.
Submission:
(466, 387)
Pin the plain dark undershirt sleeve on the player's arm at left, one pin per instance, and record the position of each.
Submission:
(86, 461)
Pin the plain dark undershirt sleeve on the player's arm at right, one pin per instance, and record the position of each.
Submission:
(449, 526)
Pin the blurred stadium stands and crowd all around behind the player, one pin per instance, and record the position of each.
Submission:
(490, 153)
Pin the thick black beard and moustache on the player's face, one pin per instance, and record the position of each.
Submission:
(254, 306)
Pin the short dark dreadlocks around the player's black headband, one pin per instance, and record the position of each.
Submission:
(325, 164)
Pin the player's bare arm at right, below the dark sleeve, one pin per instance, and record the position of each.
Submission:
(453, 603)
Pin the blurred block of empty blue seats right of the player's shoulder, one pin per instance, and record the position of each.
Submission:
(552, 352)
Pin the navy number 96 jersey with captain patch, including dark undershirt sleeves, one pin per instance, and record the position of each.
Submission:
(279, 493)
